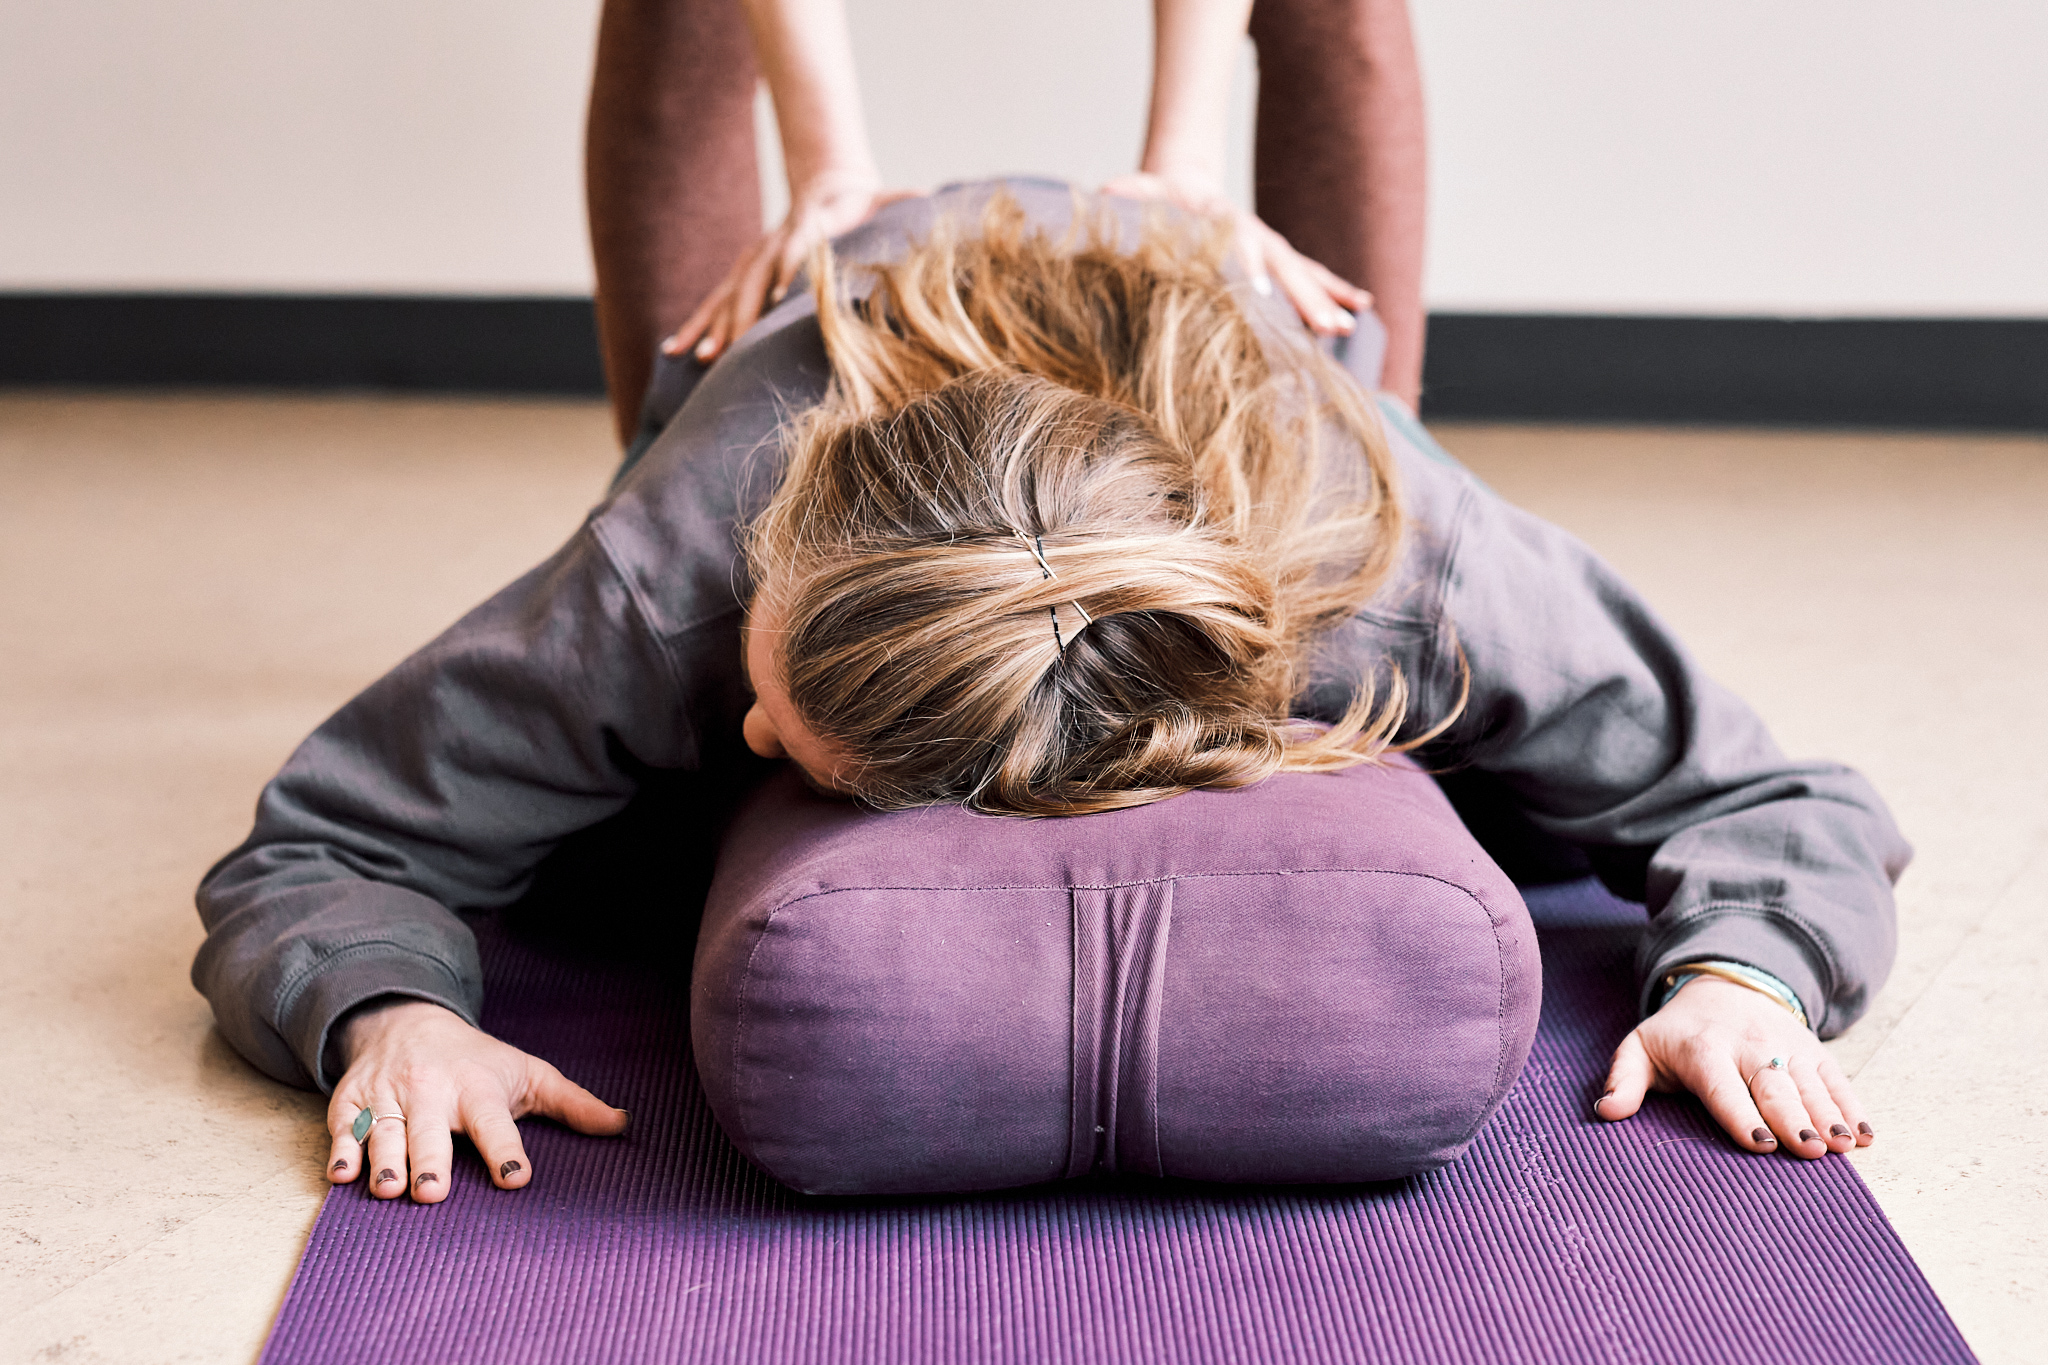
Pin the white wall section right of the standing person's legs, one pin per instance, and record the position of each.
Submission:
(1723, 157)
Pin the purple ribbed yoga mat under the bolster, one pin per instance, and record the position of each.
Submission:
(1555, 1239)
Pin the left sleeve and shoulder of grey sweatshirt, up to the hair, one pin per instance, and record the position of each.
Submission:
(445, 785)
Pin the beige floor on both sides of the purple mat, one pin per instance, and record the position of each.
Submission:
(189, 584)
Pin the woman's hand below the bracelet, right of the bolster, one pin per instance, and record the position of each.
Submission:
(1717, 1041)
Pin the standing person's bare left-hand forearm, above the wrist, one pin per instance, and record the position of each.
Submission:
(808, 56)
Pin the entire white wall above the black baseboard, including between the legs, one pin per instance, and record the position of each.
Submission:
(1779, 157)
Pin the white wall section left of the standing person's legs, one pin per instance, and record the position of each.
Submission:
(294, 144)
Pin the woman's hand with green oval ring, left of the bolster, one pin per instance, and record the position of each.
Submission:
(447, 1077)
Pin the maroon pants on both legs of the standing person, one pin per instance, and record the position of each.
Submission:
(675, 195)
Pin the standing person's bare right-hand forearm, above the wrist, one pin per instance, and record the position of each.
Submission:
(1195, 52)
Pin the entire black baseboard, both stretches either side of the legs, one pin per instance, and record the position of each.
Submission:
(1850, 371)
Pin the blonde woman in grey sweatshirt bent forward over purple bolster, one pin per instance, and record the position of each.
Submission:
(1031, 507)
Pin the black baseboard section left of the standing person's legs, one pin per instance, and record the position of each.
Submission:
(456, 345)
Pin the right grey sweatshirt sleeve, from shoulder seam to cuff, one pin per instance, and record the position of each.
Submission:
(1611, 736)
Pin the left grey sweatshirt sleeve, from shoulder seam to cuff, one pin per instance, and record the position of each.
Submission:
(443, 785)
